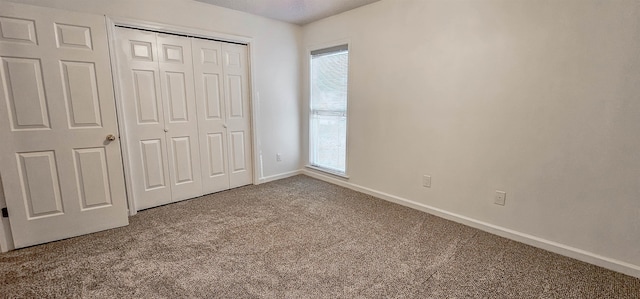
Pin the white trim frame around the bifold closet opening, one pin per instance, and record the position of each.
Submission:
(112, 22)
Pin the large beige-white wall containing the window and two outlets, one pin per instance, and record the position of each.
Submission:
(540, 99)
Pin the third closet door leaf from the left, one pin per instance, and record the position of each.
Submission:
(207, 68)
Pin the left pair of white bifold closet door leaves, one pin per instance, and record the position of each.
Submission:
(160, 113)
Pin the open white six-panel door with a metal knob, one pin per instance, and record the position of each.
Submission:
(61, 176)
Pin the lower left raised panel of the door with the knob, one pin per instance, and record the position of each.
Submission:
(39, 181)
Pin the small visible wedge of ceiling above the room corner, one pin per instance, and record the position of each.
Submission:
(299, 12)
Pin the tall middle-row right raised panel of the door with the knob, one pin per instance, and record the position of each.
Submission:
(81, 94)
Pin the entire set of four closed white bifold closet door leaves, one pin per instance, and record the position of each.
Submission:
(187, 115)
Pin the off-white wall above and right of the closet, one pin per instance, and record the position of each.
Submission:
(275, 66)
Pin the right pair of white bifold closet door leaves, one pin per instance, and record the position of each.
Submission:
(221, 78)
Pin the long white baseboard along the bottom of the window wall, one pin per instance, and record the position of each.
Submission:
(562, 249)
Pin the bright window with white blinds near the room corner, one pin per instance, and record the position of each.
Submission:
(328, 115)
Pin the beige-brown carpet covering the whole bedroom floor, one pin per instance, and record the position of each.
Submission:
(298, 238)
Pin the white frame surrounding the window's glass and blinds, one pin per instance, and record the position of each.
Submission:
(326, 49)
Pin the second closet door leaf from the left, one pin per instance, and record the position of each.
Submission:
(181, 122)
